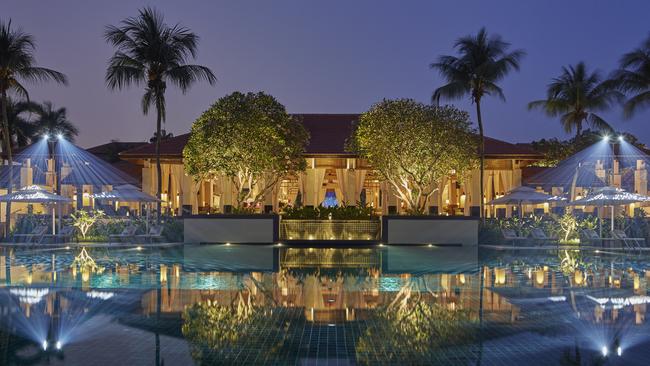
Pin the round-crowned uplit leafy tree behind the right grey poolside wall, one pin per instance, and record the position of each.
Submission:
(414, 146)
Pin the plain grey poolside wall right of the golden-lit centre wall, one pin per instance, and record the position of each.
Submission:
(445, 230)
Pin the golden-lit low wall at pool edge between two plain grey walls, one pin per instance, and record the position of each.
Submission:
(338, 230)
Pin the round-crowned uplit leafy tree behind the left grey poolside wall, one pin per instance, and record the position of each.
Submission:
(249, 138)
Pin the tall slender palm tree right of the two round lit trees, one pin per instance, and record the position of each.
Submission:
(481, 63)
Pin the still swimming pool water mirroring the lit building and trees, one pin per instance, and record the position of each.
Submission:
(269, 305)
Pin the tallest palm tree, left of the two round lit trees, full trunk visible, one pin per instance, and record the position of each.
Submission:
(151, 53)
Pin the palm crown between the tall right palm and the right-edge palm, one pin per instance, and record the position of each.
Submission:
(575, 96)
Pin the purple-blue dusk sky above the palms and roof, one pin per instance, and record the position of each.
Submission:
(329, 56)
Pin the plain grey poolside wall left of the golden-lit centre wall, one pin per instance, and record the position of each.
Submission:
(243, 229)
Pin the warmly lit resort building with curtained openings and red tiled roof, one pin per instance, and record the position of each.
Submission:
(333, 176)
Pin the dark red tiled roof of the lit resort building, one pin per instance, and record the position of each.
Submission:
(328, 133)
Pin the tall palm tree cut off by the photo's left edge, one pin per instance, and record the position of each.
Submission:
(17, 64)
